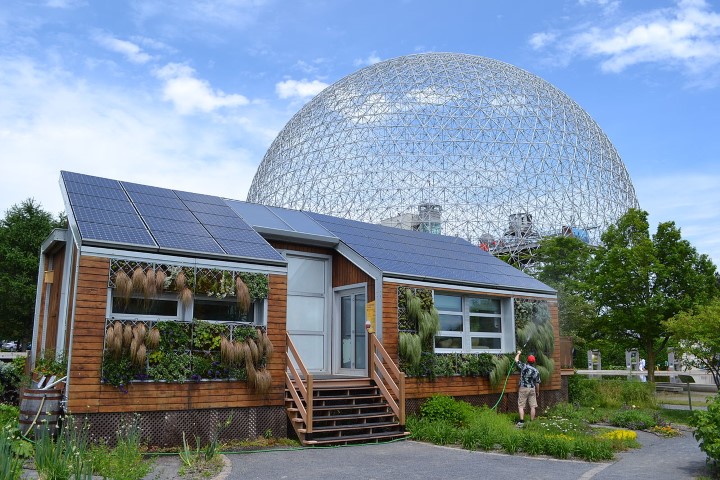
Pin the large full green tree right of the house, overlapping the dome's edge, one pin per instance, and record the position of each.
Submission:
(638, 281)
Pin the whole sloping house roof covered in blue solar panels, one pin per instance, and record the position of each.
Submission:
(131, 216)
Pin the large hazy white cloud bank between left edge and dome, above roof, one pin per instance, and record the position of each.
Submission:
(52, 121)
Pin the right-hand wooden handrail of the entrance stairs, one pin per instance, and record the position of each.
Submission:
(386, 373)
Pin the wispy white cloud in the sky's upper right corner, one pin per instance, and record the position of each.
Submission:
(686, 36)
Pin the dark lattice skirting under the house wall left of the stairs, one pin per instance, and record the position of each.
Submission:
(165, 429)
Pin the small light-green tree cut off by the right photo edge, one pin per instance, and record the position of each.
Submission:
(697, 334)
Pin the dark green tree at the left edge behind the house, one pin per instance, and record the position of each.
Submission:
(22, 232)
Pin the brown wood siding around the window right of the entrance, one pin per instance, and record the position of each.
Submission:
(456, 386)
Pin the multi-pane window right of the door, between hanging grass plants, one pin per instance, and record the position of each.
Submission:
(470, 323)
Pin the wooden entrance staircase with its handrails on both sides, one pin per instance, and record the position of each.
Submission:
(344, 411)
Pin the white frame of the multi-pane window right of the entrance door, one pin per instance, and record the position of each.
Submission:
(507, 325)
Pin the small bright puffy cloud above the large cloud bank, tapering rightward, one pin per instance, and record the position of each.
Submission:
(190, 94)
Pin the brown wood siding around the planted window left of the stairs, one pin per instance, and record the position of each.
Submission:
(87, 394)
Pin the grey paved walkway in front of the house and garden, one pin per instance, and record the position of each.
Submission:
(658, 459)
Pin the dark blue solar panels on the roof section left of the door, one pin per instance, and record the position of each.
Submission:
(133, 214)
